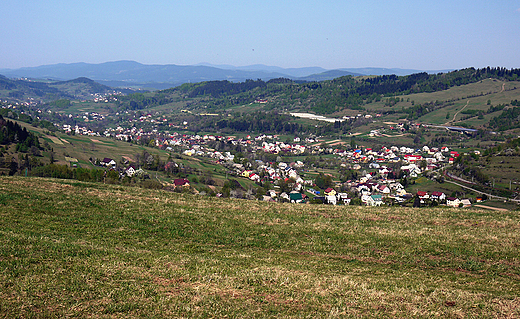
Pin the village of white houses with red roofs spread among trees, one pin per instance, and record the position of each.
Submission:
(259, 159)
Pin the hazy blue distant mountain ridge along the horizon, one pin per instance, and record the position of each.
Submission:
(128, 73)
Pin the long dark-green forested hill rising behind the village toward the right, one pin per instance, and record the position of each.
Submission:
(324, 97)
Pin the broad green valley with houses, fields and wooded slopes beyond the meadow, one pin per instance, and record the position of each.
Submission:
(258, 140)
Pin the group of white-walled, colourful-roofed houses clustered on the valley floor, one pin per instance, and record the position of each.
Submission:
(373, 187)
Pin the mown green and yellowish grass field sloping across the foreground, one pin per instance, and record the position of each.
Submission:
(93, 250)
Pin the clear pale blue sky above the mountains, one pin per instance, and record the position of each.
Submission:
(424, 35)
